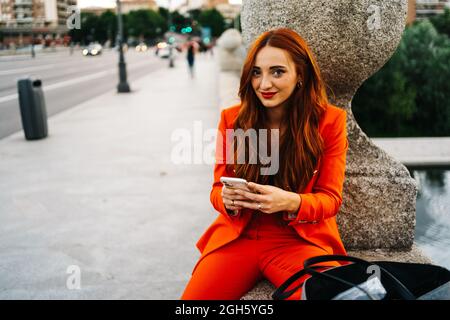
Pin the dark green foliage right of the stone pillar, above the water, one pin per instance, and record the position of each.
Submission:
(410, 95)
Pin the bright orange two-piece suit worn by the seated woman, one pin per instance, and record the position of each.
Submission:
(312, 231)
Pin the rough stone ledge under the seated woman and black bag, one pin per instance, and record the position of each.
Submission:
(264, 289)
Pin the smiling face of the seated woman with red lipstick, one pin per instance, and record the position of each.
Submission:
(274, 76)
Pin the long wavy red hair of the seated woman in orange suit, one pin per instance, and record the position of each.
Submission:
(301, 146)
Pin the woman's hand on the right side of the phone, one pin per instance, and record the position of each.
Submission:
(269, 199)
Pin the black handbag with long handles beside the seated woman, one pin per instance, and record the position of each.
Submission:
(395, 280)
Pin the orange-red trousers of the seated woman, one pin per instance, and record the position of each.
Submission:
(267, 248)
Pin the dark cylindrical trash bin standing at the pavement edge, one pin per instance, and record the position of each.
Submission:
(32, 108)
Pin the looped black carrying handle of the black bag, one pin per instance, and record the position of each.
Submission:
(397, 285)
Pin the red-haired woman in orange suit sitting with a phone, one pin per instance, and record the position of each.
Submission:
(287, 216)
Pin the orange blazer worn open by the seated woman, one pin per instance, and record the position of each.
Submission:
(320, 200)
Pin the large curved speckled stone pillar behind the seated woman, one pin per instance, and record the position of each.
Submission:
(351, 41)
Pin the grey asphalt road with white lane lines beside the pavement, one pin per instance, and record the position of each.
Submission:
(68, 80)
